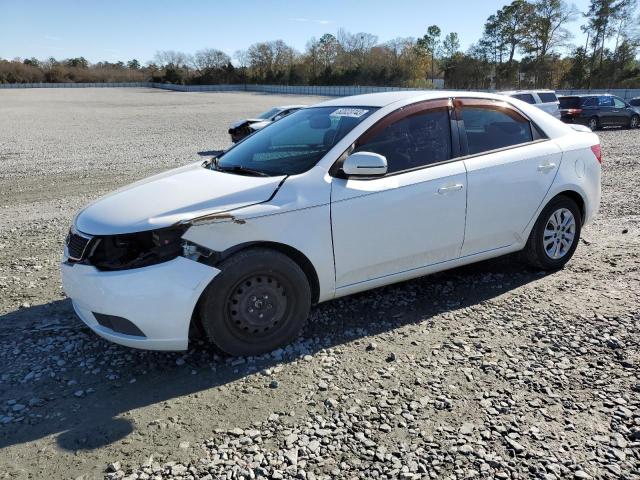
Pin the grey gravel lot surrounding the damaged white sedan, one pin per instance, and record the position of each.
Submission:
(487, 371)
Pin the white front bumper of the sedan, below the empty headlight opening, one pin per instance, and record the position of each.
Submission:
(159, 300)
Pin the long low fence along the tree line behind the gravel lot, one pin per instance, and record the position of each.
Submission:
(319, 90)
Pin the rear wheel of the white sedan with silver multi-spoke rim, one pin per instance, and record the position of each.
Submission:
(544, 233)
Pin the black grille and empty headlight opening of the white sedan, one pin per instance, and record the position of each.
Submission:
(132, 250)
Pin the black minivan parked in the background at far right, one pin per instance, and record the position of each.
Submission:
(598, 110)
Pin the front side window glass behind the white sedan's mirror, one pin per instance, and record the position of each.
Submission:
(414, 141)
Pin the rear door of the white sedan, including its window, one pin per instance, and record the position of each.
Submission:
(510, 168)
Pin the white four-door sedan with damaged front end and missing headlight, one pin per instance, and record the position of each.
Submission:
(348, 195)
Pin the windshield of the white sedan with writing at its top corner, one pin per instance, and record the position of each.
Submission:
(294, 144)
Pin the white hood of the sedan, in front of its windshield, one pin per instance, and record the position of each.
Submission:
(171, 197)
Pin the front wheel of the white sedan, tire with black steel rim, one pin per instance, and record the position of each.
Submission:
(258, 302)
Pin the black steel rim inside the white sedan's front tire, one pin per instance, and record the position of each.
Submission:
(257, 306)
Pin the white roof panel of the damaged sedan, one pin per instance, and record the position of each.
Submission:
(387, 98)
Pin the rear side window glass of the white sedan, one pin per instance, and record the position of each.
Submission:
(490, 128)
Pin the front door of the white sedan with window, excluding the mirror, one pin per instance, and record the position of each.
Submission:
(412, 217)
